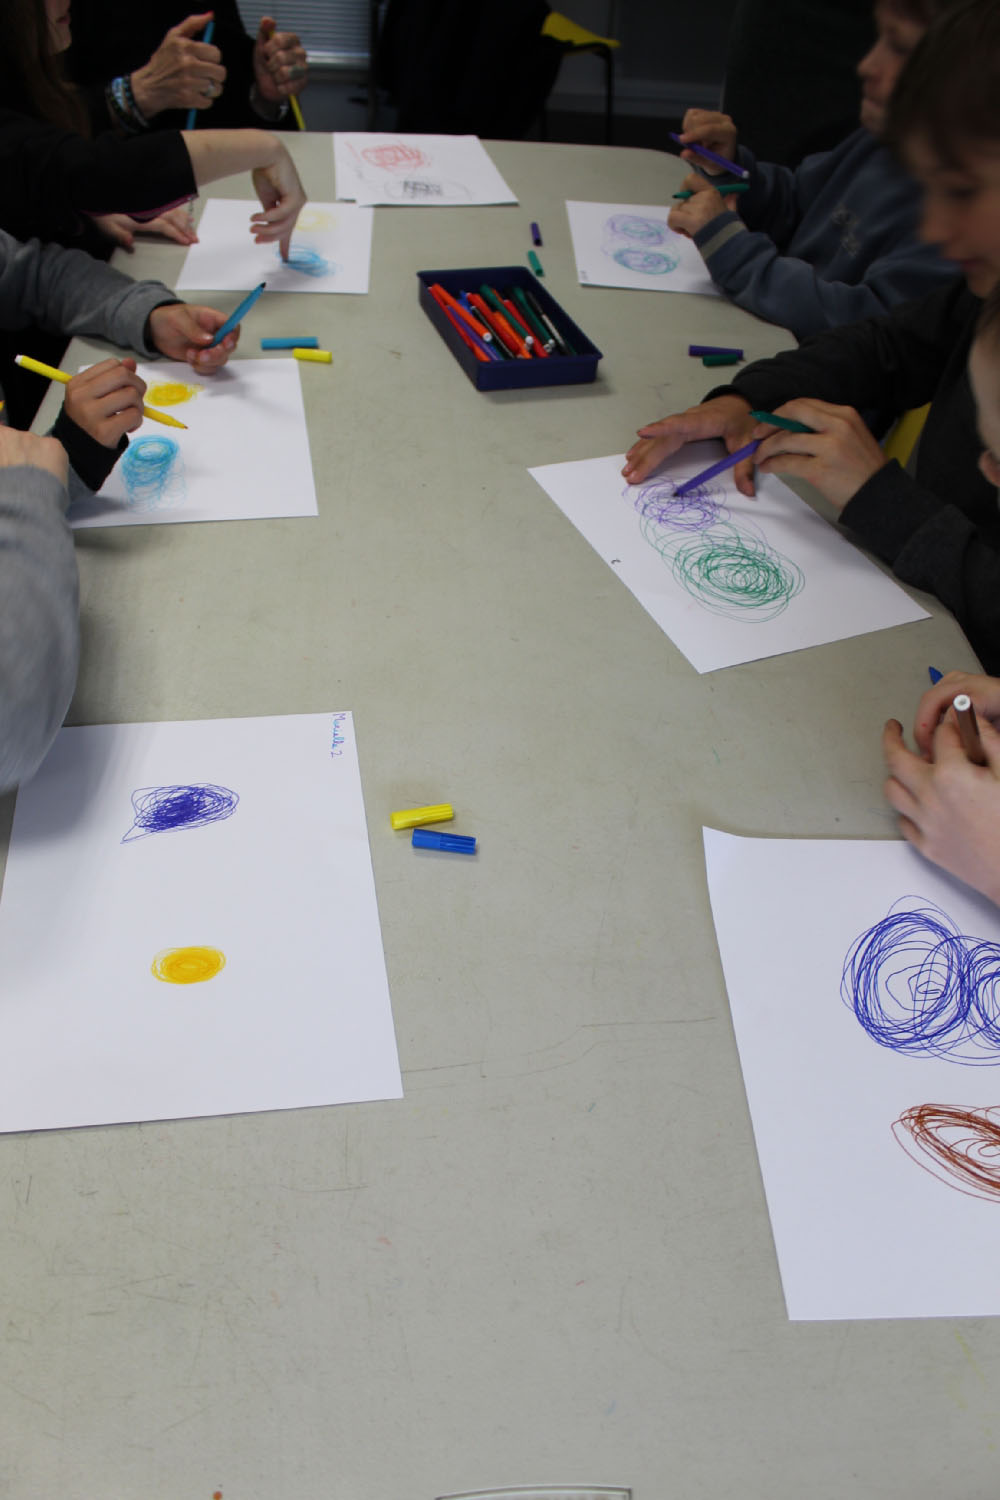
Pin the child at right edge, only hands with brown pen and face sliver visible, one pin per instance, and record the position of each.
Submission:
(950, 809)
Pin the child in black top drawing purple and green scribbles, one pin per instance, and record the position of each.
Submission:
(939, 529)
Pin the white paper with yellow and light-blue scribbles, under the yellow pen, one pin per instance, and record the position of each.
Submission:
(244, 457)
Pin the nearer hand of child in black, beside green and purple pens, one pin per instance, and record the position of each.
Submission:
(837, 458)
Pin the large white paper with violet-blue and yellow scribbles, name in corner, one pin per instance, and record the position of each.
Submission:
(275, 875)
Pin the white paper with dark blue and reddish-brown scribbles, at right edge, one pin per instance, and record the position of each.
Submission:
(869, 1187)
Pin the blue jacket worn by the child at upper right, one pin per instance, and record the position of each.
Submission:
(825, 244)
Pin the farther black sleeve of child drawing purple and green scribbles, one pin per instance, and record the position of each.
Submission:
(888, 364)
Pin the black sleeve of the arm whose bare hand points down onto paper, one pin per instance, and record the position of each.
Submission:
(52, 178)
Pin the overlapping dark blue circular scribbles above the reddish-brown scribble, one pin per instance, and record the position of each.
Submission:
(924, 989)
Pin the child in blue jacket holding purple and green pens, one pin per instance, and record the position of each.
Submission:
(834, 239)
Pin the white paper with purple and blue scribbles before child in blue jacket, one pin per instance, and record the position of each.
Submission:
(630, 245)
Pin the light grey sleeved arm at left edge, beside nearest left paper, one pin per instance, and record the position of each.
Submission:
(40, 613)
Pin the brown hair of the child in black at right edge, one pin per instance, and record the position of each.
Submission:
(950, 89)
